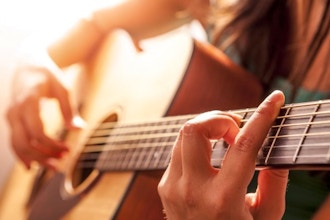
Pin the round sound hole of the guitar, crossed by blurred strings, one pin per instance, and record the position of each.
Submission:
(86, 162)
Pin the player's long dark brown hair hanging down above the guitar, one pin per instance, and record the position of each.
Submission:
(264, 34)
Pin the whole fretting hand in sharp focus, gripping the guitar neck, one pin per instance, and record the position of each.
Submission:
(192, 189)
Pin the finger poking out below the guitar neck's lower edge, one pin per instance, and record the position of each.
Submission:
(270, 197)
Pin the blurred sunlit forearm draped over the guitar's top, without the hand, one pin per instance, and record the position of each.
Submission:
(140, 18)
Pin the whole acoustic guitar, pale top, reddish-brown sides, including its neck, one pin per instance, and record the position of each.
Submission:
(135, 106)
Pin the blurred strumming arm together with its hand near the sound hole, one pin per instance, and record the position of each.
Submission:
(43, 78)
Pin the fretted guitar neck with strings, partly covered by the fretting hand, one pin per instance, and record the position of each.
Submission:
(299, 138)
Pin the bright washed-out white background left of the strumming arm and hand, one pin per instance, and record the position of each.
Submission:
(20, 19)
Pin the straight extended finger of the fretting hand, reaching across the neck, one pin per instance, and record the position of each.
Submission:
(239, 164)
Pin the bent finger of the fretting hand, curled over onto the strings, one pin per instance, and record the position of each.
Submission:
(196, 145)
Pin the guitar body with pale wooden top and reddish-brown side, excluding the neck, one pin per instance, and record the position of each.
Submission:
(128, 86)
